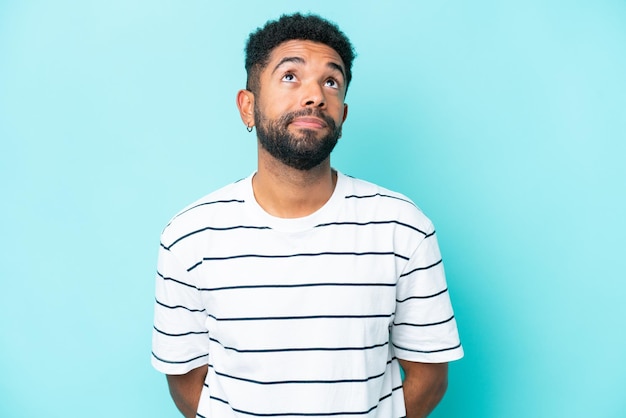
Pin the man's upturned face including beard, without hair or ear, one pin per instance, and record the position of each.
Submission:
(299, 108)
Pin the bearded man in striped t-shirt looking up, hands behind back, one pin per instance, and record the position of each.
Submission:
(299, 291)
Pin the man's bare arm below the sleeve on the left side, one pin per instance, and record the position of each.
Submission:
(186, 388)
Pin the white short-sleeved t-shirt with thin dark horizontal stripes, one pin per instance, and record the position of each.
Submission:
(301, 317)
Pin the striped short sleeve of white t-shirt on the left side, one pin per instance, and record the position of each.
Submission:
(180, 337)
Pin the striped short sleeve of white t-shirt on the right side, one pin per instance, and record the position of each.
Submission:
(424, 328)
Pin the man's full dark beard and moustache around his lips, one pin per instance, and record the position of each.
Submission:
(302, 151)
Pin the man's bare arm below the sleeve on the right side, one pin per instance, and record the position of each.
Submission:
(424, 386)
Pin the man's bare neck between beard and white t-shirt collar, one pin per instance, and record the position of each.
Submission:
(285, 192)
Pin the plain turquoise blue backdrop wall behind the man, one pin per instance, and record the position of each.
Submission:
(504, 121)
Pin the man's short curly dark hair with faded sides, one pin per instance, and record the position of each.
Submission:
(308, 27)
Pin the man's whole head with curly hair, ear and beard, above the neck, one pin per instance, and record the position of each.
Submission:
(299, 68)
